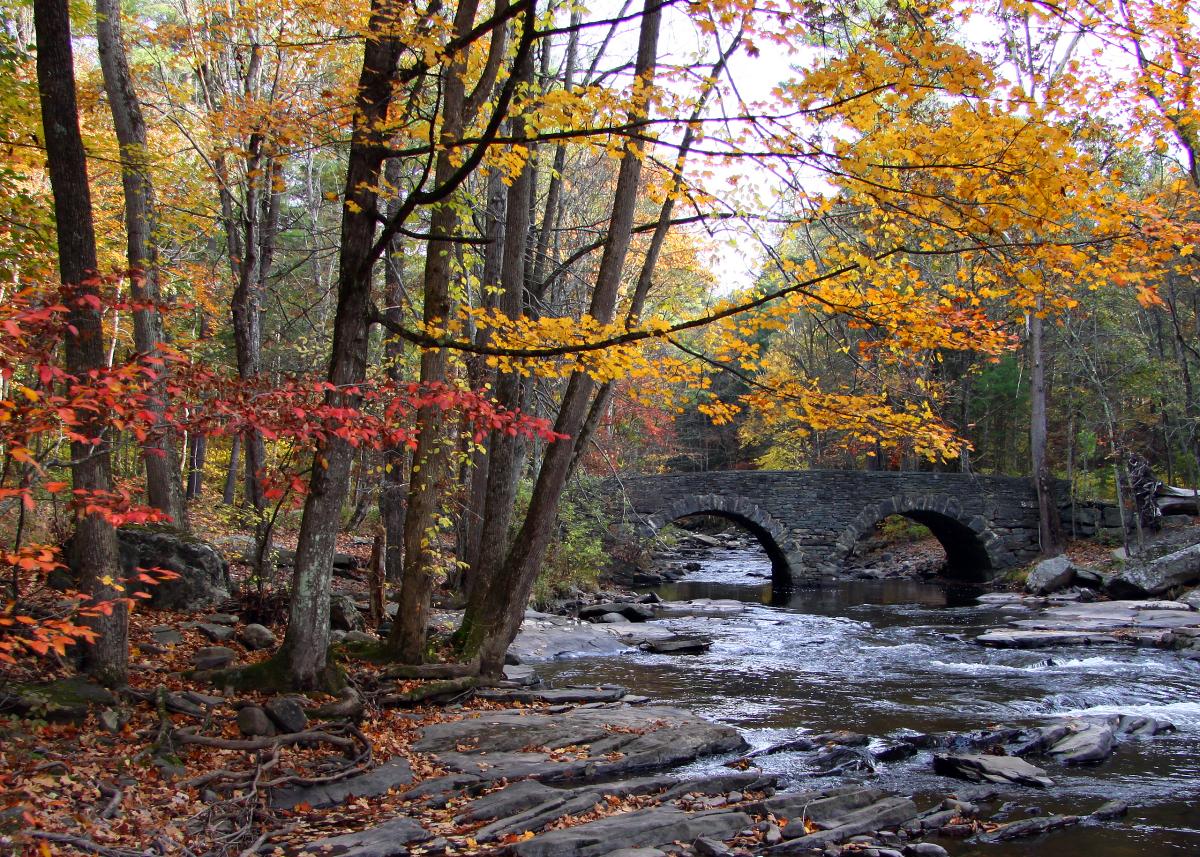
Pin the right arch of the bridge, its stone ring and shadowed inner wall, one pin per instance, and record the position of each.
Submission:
(974, 550)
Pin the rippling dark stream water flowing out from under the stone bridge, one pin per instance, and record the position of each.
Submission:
(887, 657)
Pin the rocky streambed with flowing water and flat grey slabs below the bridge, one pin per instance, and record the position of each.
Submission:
(892, 717)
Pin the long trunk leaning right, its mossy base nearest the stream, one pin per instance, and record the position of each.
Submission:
(491, 627)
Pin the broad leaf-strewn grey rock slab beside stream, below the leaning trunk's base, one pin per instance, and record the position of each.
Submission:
(604, 742)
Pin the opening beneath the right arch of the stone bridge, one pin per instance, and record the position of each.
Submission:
(908, 541)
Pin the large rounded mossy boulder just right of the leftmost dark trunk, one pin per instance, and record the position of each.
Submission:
(203, 576)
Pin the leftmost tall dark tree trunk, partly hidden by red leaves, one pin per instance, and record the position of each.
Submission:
(95, 541)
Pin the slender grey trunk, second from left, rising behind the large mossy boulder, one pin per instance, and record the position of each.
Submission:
(164, 484)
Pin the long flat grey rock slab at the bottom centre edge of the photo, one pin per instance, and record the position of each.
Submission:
(644, 829)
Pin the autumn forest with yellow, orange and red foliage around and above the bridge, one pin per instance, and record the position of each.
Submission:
(428, 278)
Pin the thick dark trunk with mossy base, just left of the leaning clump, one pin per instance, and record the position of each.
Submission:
(307, 643)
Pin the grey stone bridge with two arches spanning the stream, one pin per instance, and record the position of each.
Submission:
(809, 522)
